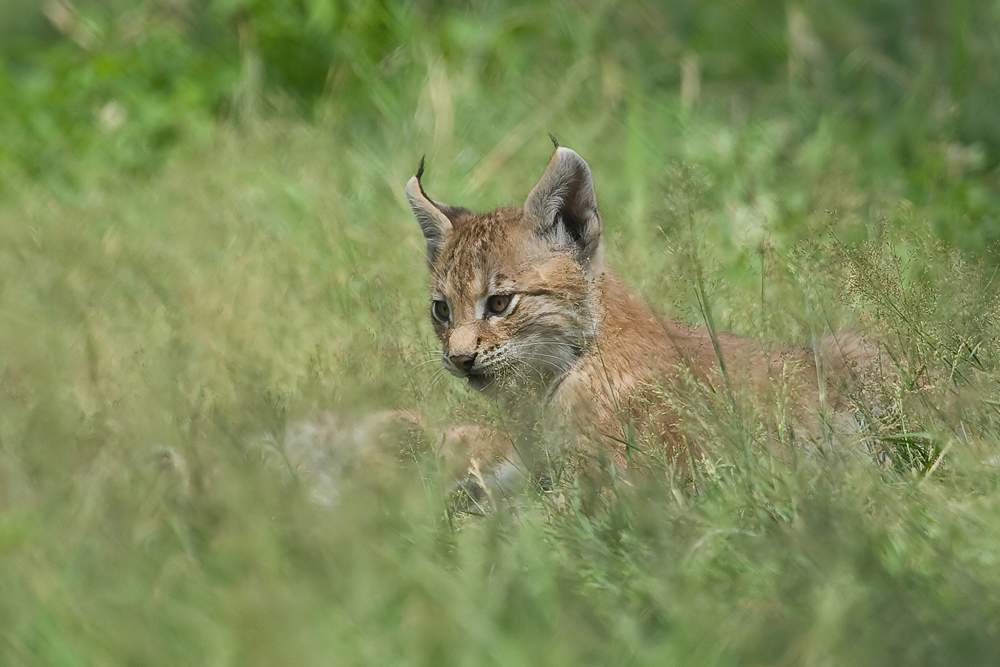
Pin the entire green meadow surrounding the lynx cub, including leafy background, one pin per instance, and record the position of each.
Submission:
(204, 246)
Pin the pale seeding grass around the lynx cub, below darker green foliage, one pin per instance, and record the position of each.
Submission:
(156, 329)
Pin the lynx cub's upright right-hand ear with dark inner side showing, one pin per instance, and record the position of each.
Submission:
(563, 208)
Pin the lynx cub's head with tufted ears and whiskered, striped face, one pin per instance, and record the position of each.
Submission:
(512, 290)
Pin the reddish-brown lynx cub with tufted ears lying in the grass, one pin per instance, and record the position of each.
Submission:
(527, 310)
